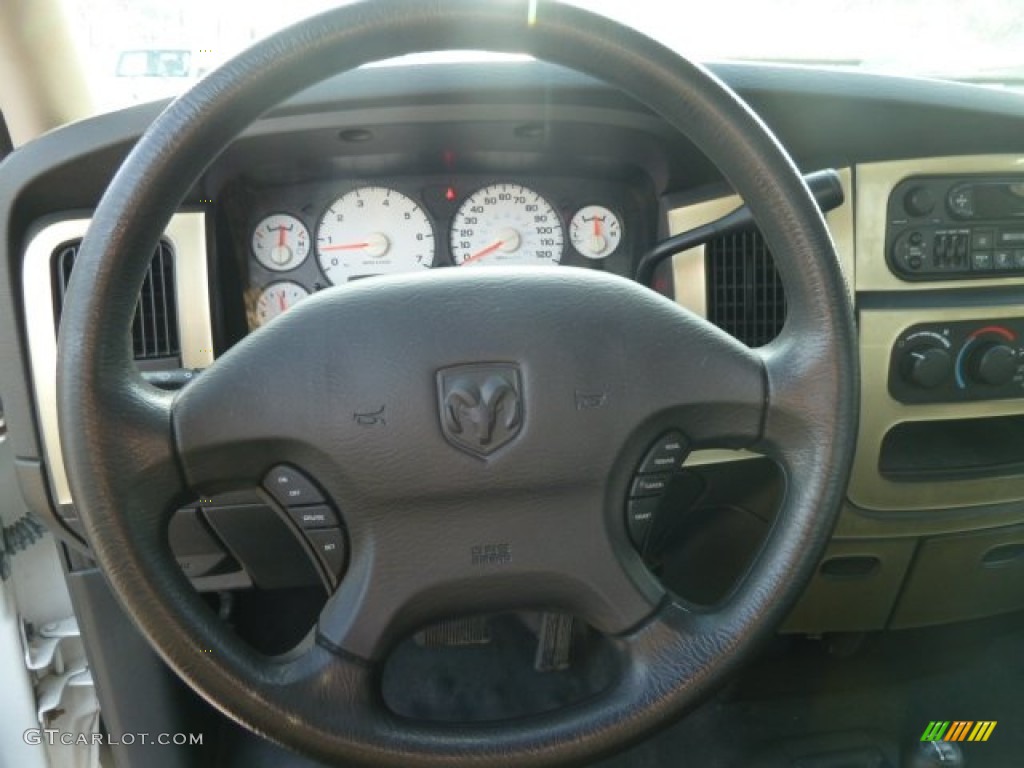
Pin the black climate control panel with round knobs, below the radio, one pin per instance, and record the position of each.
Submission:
(959, 362)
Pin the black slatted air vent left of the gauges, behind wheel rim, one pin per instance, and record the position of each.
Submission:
(155, 331)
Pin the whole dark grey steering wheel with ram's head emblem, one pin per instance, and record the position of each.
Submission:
(417, 510)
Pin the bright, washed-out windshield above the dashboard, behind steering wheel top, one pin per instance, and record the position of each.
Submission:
(138, 51)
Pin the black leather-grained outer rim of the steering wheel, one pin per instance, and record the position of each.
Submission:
(129, 448)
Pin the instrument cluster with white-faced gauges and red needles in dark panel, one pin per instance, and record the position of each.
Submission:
(303, 239)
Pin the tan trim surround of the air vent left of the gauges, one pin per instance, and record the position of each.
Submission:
(187, 235)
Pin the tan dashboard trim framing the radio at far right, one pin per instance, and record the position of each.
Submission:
(875, 185)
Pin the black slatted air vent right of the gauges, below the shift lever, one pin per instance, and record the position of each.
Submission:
(745, 292)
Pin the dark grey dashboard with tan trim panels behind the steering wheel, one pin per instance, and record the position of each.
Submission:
(462, 166)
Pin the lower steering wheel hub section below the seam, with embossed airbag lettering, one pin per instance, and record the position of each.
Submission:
(430, 562)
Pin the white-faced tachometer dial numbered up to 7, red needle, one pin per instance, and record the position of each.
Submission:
(374, 231)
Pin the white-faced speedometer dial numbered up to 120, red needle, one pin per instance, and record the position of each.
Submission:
(505, 225)
